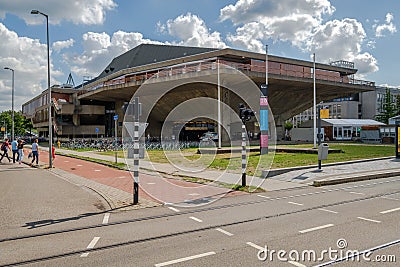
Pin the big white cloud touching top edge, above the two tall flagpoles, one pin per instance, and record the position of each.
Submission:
(286, 20)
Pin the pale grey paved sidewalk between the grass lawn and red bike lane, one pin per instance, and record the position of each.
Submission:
(302, 176)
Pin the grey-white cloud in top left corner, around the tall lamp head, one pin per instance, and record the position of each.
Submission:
(79, 12)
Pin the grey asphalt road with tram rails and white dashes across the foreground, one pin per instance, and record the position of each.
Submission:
(283, 227)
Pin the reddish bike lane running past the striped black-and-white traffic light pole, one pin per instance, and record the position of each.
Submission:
(152, 187)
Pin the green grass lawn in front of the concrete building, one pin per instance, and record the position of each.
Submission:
(351, 151)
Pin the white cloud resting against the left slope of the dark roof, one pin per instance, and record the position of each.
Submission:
(100, 48)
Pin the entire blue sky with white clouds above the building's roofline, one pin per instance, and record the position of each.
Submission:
(86, 35)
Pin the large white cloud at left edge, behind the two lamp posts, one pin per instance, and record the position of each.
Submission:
(28, 58)
